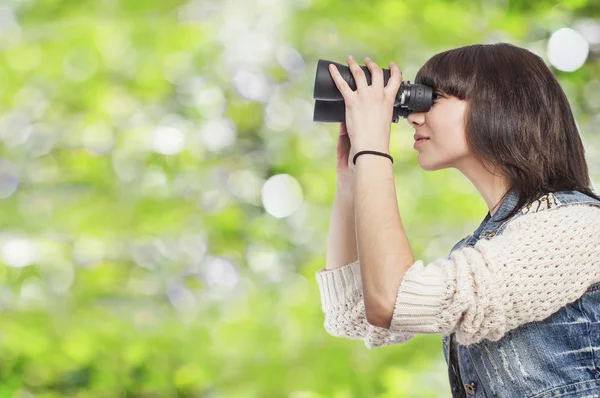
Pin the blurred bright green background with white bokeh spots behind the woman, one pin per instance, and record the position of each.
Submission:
(165, 195)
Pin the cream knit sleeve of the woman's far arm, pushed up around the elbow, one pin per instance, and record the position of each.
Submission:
(343, 304)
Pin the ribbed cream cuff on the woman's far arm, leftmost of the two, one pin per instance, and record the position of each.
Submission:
(339, 284)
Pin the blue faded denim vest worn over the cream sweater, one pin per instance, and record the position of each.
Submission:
(556, 357)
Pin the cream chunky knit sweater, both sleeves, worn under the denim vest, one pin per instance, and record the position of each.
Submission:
(541, 262)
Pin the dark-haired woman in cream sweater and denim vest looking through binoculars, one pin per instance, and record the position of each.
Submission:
(517, 302)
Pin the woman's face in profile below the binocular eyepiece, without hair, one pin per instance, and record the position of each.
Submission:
(444, 125)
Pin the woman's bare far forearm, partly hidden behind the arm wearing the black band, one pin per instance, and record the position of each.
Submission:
(341, 240)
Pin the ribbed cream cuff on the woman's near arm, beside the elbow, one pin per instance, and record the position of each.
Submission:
(421, 298)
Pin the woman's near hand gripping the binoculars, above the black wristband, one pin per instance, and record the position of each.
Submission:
(369, 109)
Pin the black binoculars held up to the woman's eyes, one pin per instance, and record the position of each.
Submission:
(329, 102)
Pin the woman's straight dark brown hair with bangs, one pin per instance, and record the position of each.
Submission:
(517, 119)
